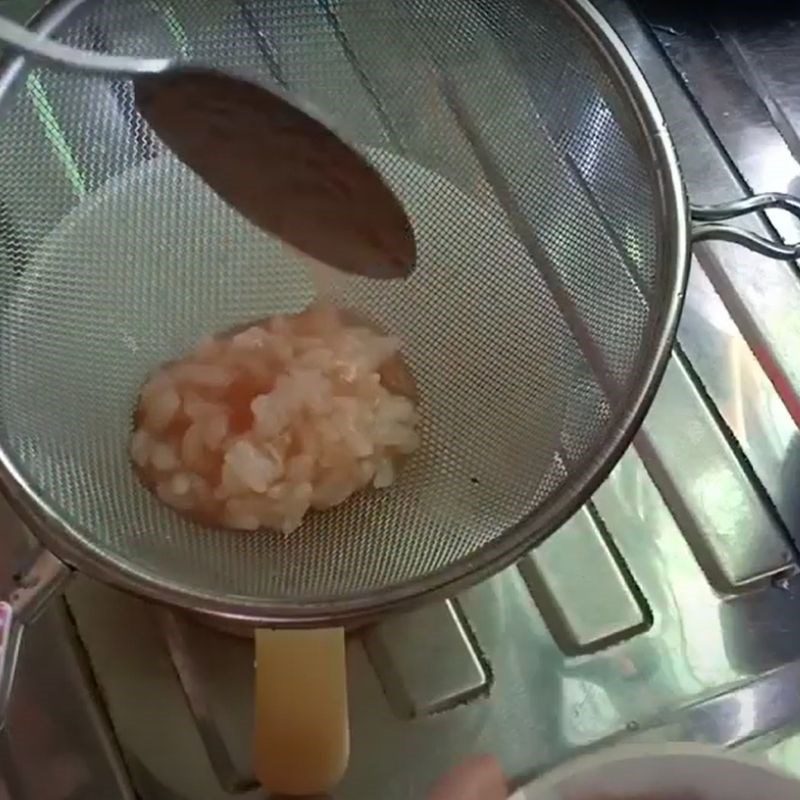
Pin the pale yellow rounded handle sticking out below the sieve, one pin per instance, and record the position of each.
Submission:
(302, 741)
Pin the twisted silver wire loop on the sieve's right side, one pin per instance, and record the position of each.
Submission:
(710, 224)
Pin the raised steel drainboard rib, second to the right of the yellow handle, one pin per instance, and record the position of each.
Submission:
(583, 614)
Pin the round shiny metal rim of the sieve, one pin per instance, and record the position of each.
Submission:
(67, 542)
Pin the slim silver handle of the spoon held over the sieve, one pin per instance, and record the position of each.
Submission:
(56, 54)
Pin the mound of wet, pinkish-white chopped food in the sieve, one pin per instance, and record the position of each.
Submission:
(254, 428)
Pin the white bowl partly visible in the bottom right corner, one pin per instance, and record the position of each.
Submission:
(663, 772)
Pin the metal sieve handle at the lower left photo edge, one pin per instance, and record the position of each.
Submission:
(44, 578)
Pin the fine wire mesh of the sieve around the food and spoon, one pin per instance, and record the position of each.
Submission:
(533, 309)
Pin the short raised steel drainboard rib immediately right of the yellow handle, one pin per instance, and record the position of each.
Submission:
(404, 648)
